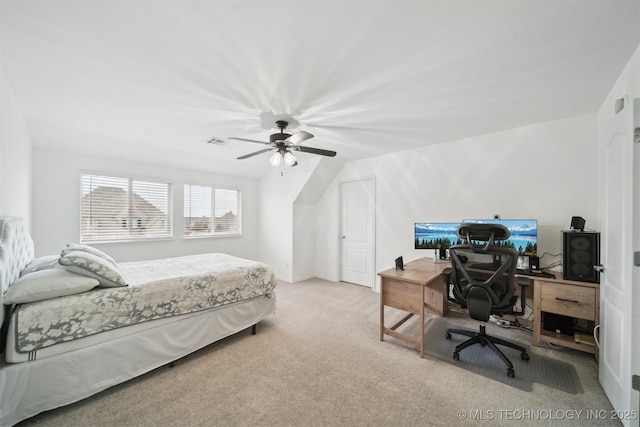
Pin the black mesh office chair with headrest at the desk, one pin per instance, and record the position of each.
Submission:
(482, 275)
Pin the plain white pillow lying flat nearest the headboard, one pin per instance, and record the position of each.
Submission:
(46, 284)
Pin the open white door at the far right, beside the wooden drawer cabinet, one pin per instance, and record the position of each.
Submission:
(617, 331)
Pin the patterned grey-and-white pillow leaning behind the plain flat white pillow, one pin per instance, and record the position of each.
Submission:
(93, 266)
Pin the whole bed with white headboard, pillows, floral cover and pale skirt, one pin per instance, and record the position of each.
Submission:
(93, 329)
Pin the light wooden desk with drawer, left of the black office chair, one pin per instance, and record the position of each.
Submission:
(420, 285)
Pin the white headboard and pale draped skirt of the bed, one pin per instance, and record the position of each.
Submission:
(32, 387)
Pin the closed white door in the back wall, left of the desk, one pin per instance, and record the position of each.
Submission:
(357, 224)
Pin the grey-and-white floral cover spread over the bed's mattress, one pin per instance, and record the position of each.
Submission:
(157, 289)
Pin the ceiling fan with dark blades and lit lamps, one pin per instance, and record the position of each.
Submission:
(284, 144)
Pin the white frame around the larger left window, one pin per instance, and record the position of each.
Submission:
(131, 221)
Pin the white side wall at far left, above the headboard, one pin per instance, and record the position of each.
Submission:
(15, 157)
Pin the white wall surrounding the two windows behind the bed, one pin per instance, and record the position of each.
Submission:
(56, 207)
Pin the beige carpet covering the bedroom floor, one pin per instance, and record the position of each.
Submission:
(319, 362)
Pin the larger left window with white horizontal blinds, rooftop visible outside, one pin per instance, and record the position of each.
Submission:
(116, 208)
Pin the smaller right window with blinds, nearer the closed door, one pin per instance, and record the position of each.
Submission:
(211, 211)
